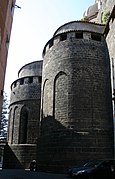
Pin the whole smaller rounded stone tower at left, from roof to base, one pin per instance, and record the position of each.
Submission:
(24, 116)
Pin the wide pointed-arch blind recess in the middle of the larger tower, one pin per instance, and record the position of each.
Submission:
(60, 97)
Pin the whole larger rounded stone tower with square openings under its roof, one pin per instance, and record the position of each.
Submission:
(76, 117)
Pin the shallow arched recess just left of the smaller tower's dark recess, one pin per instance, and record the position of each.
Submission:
(13, 121)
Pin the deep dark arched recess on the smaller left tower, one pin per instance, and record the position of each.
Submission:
(23, 125)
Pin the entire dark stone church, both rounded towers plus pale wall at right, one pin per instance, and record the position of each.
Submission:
(61, 108)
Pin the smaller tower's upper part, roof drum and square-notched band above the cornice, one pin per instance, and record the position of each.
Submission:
(28, 85)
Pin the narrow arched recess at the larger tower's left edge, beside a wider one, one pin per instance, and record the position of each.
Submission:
(45, 99)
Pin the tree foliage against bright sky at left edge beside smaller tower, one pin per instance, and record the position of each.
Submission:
(4, 118)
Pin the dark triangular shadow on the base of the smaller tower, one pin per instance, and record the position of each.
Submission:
(10, 161)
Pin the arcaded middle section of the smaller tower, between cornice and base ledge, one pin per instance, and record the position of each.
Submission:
(33, 118)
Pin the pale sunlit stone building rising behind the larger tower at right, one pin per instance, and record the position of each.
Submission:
(103, 12)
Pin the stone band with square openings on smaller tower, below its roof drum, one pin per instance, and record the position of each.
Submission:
(25, 91)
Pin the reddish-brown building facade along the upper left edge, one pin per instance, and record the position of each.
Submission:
(6, 18)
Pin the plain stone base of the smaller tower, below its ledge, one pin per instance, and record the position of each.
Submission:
(18, 156)
